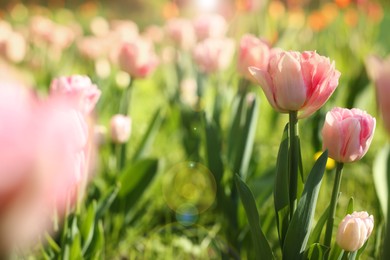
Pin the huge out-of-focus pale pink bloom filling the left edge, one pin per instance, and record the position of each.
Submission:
(44, 157)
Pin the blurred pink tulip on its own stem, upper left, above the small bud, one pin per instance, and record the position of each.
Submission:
(138, 58)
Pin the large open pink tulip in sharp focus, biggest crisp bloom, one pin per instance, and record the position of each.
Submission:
(297, 81)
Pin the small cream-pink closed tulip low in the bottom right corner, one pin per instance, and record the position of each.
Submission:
(354, 230)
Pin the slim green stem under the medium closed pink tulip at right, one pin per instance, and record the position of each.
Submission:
(333, 206)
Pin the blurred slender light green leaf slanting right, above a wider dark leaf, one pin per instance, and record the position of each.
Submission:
(150, 135)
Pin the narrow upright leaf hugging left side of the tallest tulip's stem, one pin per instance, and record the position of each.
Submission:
(281, 190)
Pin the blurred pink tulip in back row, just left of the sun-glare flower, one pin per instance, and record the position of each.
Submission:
(181, 32)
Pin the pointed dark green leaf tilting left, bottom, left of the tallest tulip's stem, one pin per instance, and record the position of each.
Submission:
(261, 246)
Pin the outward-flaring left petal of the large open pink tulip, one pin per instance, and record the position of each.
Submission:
(265, 82)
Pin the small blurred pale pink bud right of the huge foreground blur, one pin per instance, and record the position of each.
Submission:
(120, 128)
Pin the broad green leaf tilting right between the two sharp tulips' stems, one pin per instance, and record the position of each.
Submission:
(300, 225)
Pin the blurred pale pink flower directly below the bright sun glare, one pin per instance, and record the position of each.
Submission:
(210, 26)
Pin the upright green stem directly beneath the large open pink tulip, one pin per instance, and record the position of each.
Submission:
(293, 160)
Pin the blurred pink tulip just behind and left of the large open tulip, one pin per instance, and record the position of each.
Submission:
(252, 52)
